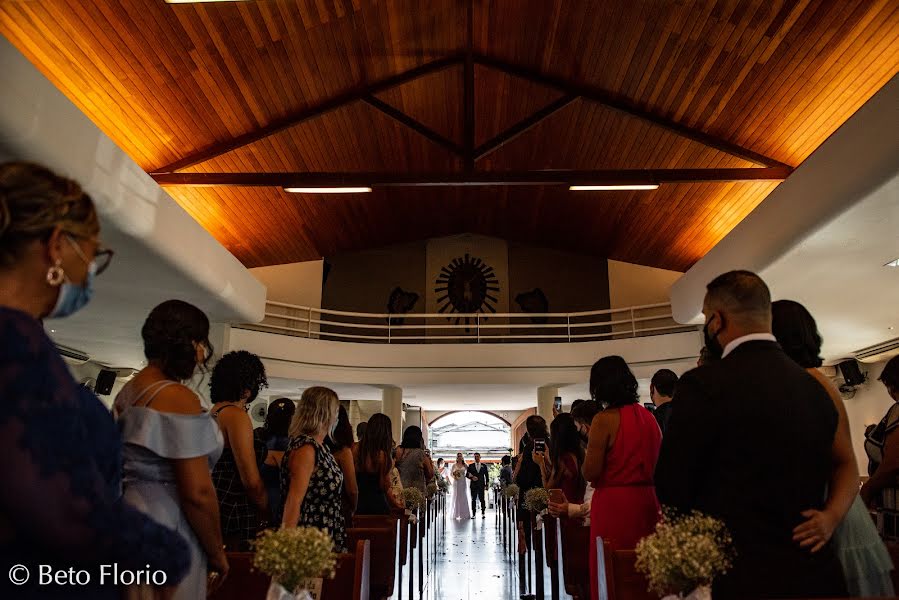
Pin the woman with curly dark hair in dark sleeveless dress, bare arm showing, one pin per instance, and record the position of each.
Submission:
(243, 501)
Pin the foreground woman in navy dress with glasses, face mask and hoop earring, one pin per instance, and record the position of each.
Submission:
(60, 451)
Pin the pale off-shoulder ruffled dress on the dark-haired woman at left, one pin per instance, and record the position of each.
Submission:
(153, 440)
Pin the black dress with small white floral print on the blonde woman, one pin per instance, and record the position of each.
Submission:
(322, 505)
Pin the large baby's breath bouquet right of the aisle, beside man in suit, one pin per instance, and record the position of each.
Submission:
(685, 554)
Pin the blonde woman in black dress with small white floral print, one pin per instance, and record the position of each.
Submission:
(311, 480)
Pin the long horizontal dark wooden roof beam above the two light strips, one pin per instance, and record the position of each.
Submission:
(555, 177)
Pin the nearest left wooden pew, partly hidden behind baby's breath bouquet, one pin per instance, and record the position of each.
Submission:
(351, 581)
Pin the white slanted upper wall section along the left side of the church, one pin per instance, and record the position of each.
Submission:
(161, 252)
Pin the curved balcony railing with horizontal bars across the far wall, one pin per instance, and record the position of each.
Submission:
(606, 324)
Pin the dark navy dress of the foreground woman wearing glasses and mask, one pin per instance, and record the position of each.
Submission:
(66, 439)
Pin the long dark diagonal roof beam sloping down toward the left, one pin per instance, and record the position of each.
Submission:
(292, 120)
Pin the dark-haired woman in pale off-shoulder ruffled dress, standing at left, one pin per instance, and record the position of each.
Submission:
(171, 443)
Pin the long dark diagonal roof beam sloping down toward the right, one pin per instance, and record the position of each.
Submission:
(623, 105)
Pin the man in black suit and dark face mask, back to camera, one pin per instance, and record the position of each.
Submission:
(750, 443)
